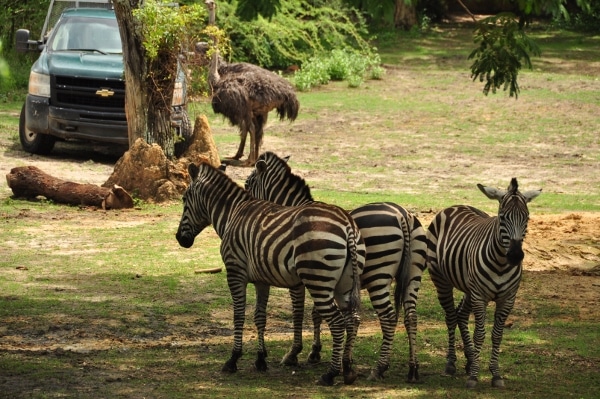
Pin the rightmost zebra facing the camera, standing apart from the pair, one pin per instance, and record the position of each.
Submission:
(482, 257)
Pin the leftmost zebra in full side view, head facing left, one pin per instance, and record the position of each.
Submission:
(317, 246)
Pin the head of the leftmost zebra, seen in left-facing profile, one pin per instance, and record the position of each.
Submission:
(192, 220)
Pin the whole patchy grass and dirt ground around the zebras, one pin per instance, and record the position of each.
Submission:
(107, 305)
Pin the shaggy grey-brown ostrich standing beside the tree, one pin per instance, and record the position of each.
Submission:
(245, 94)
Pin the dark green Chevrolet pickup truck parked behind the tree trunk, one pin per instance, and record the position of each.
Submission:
(77, 86)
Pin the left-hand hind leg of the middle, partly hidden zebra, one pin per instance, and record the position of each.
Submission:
(388, 323)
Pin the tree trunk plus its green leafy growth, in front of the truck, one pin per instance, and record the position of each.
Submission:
(154, 36)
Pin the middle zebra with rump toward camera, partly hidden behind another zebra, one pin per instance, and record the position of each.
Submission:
(396, 248)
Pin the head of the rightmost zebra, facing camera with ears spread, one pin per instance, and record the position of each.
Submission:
(513, 216)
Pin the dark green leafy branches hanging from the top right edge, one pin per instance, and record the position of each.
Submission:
(503, 47)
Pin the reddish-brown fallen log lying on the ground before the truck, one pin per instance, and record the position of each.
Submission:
(31, 181)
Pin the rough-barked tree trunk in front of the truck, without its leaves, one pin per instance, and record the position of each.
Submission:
(149, 83)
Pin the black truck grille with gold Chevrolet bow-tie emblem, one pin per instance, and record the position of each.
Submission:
(85, 93)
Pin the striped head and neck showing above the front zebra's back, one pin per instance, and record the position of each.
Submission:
(272, 180)
